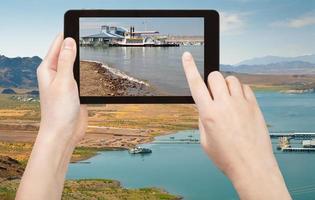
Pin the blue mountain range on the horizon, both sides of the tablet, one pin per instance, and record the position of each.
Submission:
(20, 72)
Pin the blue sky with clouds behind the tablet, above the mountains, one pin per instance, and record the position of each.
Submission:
(249, 28)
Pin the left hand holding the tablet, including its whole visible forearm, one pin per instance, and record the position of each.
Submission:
(63, 124)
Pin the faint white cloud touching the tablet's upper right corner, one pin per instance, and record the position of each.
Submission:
(231, 23)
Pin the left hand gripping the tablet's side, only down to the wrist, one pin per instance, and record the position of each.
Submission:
(61, 111)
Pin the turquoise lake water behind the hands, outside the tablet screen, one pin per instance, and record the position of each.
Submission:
(185, 170)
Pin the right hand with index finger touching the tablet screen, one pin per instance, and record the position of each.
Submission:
(234, 135)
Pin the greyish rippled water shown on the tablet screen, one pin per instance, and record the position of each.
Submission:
(161, 67)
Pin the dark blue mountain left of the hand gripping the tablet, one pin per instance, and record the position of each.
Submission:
(18, 71)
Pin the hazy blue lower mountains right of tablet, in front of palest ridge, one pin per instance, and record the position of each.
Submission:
(292, 67)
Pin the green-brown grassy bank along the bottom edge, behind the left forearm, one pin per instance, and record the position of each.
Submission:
(98, 189)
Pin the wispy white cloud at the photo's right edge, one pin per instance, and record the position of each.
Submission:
(299, 22)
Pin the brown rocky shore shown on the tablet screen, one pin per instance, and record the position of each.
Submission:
(97, 79)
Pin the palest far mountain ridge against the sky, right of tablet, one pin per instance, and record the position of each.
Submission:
(277, 59)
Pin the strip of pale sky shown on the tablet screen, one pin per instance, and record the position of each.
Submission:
(166, 26)
